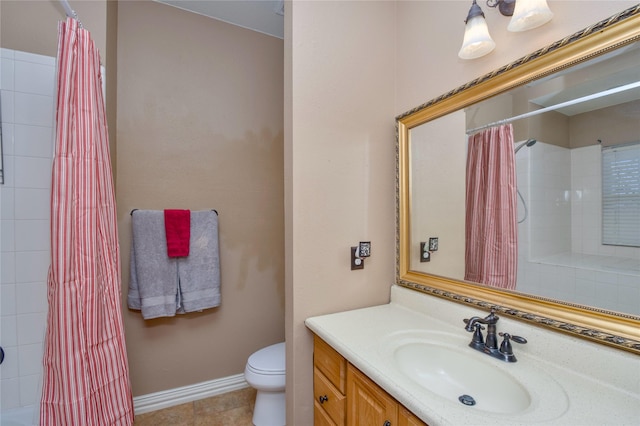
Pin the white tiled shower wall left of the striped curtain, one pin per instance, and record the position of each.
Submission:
(27, 84)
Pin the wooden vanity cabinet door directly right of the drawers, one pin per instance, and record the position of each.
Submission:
(368, 404)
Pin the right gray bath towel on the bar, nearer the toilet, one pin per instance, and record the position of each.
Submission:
(200, 271)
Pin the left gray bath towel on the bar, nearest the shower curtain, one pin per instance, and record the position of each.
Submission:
(153, 284)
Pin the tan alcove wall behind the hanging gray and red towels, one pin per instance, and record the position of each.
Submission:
(200, 115)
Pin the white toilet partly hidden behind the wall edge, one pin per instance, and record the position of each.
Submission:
(265, 372)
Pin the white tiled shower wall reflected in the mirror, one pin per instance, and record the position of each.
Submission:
(560, 254)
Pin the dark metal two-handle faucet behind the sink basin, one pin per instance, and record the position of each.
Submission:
(490, 345)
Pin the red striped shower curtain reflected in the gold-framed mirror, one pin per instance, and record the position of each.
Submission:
(491, 226)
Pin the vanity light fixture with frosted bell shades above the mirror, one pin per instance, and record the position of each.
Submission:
(525, 15)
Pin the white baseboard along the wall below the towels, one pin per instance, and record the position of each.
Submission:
(164, 399)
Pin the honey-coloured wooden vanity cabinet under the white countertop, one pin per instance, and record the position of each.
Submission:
(345, 396)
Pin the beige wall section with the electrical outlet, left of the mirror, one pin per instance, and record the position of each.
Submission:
(340, 170)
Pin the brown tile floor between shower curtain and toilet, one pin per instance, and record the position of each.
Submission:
(229, 409)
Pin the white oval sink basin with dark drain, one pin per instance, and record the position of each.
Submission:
(462, 376)
